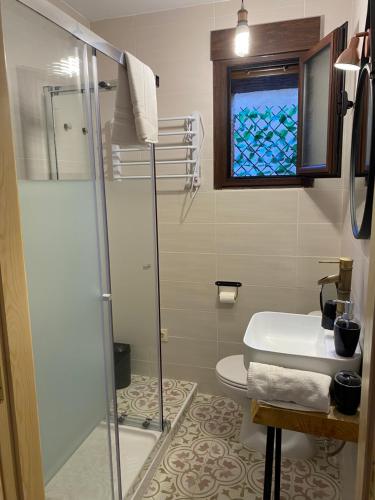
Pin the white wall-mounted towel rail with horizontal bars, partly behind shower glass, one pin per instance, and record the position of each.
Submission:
(188, 130)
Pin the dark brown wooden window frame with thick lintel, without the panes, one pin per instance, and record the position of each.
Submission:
(272, 43)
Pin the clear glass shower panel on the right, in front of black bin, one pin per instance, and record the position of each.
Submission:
(132, 232)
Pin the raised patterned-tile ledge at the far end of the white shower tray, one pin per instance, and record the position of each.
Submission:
(141, 397)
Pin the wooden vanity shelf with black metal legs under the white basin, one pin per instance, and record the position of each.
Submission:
(333, 425)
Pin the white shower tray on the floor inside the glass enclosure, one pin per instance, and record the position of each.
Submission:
(86, 475)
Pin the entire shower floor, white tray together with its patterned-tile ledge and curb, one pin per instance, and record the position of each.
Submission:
(86, 474)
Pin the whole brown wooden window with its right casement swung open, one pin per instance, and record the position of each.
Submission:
(277, 113)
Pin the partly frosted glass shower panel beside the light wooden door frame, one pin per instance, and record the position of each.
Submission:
(64, 234)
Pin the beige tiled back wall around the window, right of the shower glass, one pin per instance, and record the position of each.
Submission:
(270, 240)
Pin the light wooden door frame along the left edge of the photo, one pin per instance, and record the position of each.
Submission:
(22, 456)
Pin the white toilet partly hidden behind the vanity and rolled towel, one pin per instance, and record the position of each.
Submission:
(232, 376)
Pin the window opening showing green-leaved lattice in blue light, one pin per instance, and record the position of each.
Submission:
(264, 117)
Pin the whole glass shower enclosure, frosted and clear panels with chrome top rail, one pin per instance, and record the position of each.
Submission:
(90, 246)
